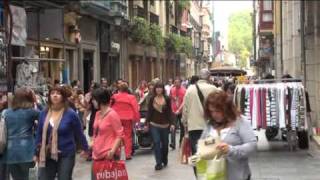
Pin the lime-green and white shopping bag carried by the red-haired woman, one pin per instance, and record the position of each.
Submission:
(214, 169)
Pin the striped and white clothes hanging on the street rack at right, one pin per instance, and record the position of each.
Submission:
(279, 105)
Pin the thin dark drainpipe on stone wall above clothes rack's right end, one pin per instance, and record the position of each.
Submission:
(303, 48)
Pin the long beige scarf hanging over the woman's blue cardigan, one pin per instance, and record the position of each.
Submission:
(53, 141)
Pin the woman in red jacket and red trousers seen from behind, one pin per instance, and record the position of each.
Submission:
(127, 107)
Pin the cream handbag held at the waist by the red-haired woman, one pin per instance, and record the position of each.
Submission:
(207, 147)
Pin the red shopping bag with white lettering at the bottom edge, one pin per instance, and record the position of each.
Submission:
(110, 170)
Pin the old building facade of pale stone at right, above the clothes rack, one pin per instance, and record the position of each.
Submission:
(296, 45)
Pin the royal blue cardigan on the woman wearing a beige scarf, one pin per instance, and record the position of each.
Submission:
(69, 130)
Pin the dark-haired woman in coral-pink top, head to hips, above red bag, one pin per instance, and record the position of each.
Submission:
(107, 129)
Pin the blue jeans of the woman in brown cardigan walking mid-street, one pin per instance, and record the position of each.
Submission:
(161, 141)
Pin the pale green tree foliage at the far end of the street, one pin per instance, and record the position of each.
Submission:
(240, 35)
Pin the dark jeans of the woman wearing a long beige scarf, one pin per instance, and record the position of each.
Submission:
(62, 169)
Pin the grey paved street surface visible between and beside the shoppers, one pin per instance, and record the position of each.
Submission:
(275, 164)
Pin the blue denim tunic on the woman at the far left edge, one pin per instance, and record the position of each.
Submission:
(20, 137)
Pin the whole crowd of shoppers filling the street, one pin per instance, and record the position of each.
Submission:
(52, 134)
